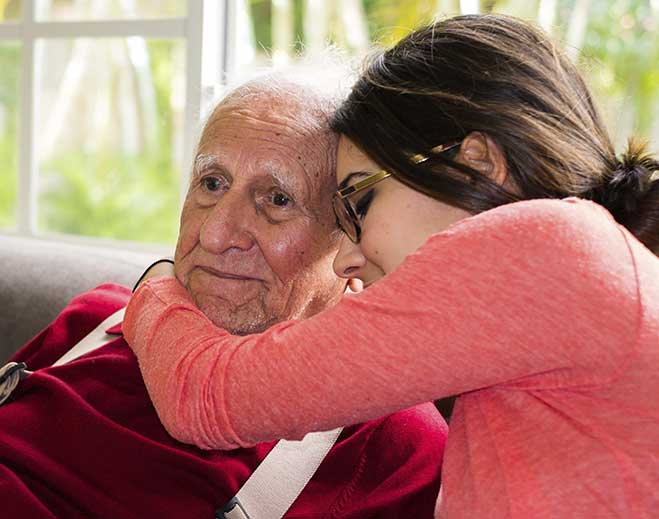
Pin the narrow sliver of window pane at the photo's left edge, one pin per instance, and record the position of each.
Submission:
(10, 61)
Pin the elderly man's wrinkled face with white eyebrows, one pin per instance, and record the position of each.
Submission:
(257, 235)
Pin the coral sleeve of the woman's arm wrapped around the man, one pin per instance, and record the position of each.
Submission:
(534, 293)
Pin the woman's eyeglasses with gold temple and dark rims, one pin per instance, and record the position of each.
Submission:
(346, 215)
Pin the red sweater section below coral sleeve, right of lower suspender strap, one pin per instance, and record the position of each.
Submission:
(388, 467)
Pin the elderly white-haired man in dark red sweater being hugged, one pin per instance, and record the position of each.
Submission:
(256, 244)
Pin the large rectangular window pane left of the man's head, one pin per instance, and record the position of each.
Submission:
(109, 140)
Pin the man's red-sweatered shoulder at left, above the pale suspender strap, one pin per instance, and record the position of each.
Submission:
(73, 323)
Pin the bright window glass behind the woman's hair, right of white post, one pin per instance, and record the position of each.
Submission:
(615, 43)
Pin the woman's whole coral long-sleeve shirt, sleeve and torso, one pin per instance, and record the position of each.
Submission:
(543, 316)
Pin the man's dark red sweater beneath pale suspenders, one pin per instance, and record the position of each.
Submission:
(82, 440)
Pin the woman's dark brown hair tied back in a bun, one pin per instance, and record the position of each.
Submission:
(503, 77)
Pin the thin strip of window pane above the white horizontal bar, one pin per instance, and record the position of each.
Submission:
(71, 10)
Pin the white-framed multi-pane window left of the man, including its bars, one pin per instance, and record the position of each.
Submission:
(96, 99)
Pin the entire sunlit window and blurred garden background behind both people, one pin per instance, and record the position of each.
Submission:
(108, 125)
